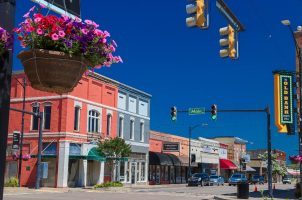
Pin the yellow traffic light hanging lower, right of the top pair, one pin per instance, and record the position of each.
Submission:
(230, 42)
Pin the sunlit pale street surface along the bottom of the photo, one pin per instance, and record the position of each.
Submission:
(175, 192)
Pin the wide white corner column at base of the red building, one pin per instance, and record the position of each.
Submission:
(62, 179)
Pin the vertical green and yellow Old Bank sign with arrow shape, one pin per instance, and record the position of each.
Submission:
(284, 115)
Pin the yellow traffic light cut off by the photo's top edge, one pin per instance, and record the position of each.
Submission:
(199, 12)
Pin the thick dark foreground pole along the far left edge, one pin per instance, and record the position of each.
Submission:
(7, 20)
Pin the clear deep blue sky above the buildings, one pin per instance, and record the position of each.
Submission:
(181, 66)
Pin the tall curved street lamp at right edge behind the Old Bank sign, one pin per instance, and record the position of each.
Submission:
(287, 23)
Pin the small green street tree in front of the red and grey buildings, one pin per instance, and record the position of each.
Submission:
(114, 149)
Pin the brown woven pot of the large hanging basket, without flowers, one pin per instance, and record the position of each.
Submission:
(52, 71)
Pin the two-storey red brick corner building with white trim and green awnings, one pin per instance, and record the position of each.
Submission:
(72, 122)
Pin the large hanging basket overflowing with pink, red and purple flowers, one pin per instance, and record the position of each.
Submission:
(60, 49)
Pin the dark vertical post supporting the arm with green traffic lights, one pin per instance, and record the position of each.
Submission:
(269, 152)
